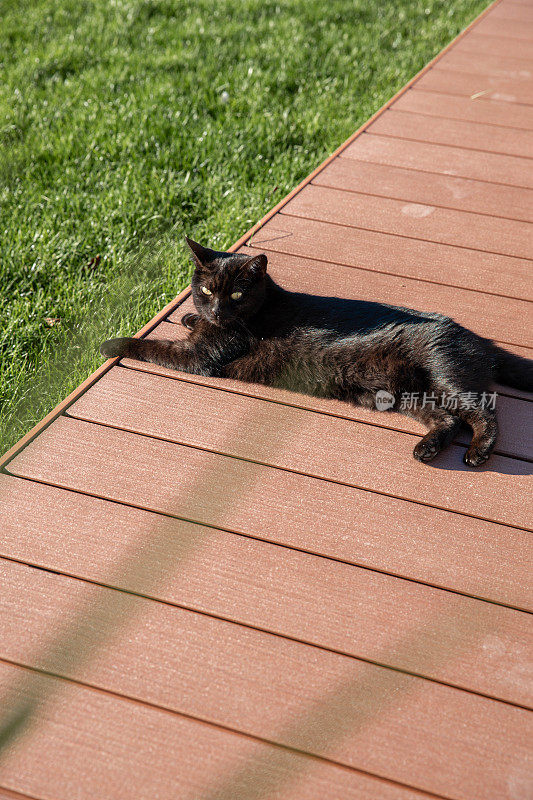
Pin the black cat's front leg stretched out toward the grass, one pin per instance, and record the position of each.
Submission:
(166, 353)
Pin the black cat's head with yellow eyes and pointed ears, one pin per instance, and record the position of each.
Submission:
(227, 286)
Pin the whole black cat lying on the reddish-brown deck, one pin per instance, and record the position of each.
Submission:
(424, 365)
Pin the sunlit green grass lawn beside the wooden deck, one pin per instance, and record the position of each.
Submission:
(115, 140)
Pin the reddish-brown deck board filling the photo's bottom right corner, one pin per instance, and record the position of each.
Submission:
(311, 685)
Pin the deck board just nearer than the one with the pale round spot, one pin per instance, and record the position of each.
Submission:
(398, 255)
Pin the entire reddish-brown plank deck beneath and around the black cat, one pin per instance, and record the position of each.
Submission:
(219, 591)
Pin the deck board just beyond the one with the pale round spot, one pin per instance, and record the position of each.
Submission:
(444, 191)
